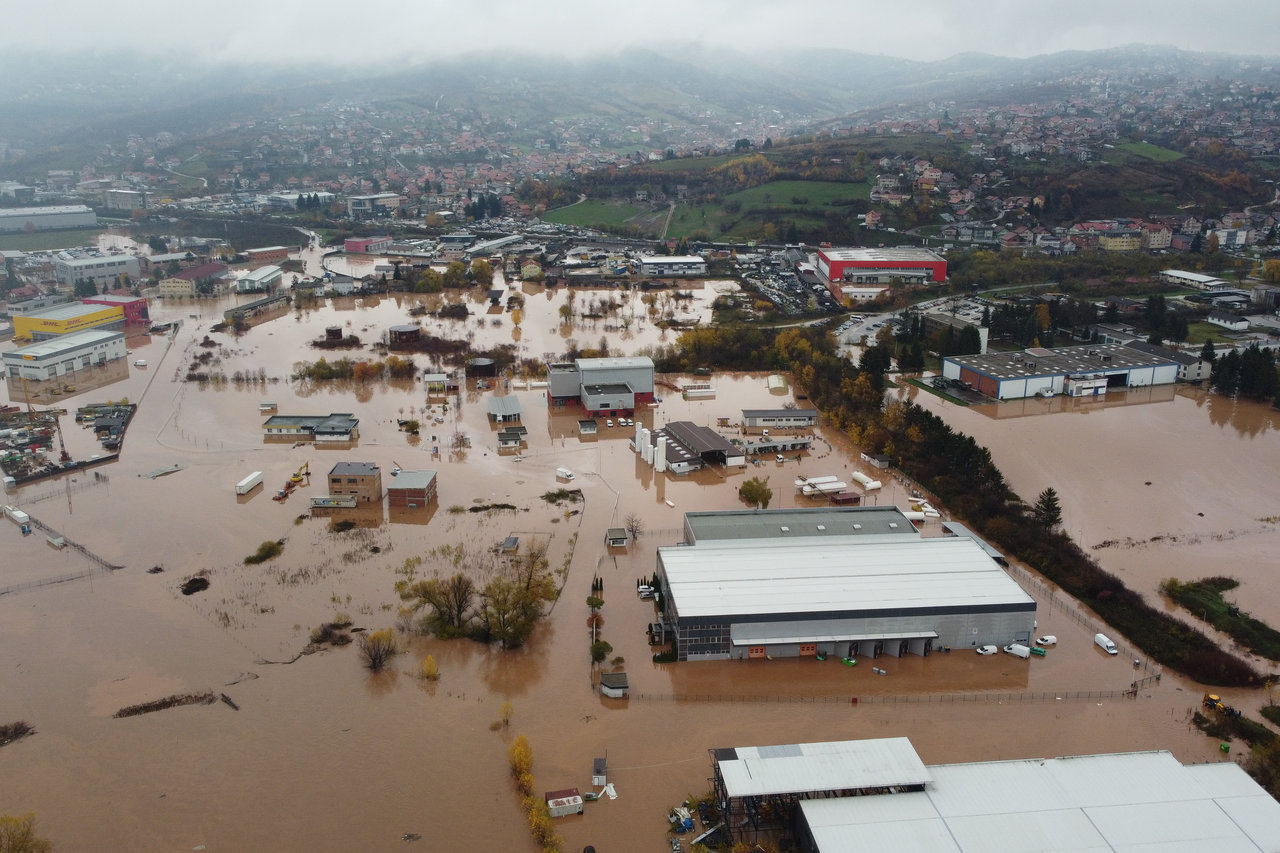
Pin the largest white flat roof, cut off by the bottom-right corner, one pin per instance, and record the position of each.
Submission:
(1123, 802)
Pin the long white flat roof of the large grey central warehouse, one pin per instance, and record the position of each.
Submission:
(840, 577)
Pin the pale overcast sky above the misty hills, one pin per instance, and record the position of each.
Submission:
(255, 31)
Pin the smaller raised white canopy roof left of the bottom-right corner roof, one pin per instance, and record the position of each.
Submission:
(811, 768)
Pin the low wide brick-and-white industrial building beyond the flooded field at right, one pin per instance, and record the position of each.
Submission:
(1077, 372)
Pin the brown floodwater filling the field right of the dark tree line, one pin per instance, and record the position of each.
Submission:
(1172, 482)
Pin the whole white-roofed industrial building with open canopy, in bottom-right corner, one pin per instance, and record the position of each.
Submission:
(854, 796)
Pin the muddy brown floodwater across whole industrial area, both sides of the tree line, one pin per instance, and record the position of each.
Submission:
(323, 756)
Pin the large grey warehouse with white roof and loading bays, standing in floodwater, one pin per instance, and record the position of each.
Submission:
(843, 581)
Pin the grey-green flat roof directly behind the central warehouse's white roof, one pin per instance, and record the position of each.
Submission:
(820, 522)
